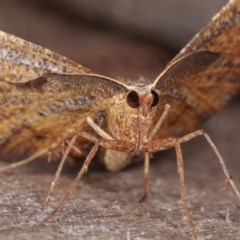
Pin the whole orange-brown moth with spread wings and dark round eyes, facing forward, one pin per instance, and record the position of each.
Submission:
(47, 99)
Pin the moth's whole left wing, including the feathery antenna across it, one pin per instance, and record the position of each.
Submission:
(44, 94)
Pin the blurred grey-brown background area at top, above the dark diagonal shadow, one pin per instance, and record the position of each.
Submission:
(174, 21)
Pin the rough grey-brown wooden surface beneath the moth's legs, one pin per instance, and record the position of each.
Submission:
(105, 205)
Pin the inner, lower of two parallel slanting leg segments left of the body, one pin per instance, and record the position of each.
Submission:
(73, 185)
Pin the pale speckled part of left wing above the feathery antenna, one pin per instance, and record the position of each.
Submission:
(21, 60)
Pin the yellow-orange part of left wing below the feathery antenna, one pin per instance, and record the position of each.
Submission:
(33, 120)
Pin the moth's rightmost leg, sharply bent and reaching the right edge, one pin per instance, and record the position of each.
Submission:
(219, 157)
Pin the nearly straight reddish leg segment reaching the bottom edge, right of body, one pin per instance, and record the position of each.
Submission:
(180, 169)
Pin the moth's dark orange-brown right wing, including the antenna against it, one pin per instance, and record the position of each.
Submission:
(202, 78)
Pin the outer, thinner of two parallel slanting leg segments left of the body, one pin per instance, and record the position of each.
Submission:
(60, 167)
